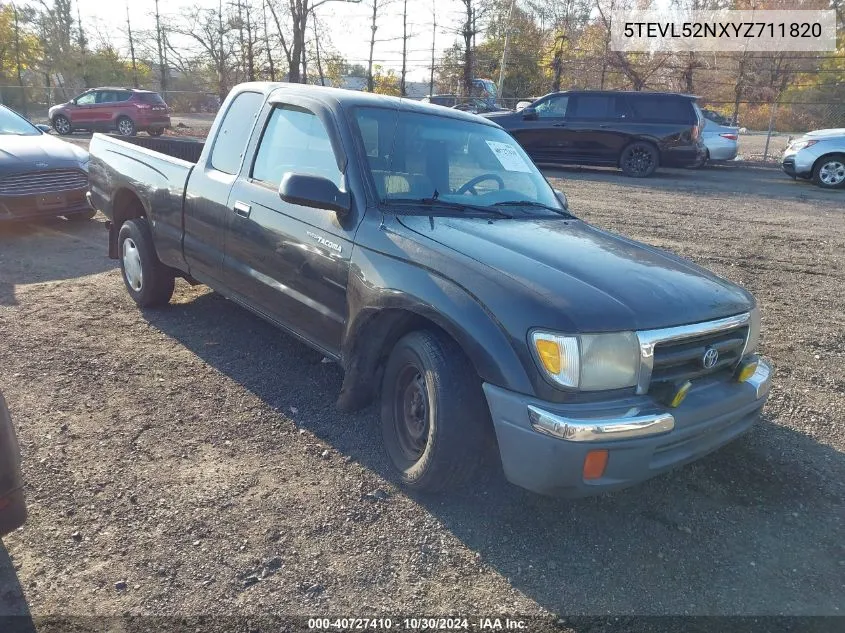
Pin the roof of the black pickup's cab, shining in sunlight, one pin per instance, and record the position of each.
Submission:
(355, 98)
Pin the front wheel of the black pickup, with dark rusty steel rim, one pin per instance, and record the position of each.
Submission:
(433, 413)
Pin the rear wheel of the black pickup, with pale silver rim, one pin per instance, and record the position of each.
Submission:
(149, 282)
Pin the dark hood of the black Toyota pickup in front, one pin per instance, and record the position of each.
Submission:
(596, 281)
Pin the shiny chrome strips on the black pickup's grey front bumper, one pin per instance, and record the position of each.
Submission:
(630, 424)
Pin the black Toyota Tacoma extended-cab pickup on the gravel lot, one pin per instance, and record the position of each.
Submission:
(421, 249)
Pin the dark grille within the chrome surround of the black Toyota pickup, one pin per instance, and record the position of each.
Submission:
(683, 359)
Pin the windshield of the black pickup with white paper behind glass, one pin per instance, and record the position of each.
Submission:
(414, 156)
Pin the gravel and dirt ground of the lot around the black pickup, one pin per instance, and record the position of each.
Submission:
(189, 460)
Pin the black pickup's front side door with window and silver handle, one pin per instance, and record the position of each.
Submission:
(291, 262)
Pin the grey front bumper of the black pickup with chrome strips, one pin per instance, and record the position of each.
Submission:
(544, 445)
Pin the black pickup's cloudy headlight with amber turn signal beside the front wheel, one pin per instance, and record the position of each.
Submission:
(590, 362)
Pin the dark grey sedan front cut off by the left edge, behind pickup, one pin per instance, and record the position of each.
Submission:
(40, 175)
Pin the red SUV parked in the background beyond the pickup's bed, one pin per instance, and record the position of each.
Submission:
(126, 110)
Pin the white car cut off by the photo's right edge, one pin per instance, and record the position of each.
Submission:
(818, 155)
